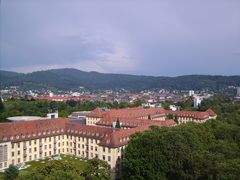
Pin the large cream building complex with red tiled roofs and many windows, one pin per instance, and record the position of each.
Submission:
(32, 140)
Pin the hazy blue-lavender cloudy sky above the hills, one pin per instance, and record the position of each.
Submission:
(143, 37)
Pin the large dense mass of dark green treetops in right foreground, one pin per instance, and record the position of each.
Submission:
(191, 151)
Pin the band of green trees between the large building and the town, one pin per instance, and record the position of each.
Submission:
(42, 107)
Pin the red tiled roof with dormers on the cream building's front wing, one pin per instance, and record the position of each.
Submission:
(111, 137)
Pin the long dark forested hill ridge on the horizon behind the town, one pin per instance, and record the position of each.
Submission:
(65, 79)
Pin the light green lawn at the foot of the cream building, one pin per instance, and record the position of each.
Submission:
(81, 164)
